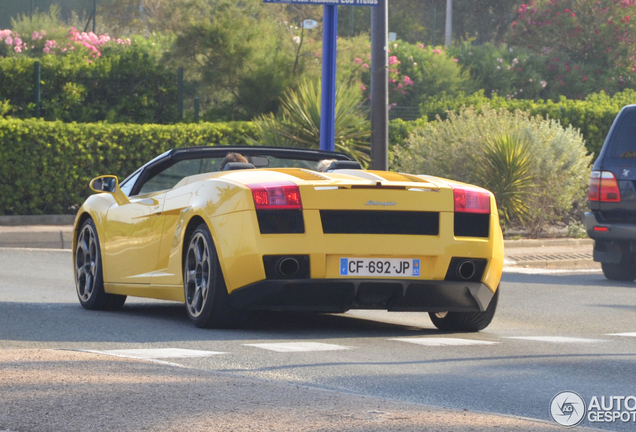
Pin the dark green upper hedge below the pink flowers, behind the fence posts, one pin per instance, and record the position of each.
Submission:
(126, 86)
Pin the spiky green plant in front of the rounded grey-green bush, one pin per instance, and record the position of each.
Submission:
(507, 172)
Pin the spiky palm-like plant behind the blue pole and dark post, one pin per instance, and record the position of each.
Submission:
(298, 125)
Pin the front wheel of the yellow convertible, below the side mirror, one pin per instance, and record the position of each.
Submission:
(89, 278)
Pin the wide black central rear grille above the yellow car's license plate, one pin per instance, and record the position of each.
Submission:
(379, 222)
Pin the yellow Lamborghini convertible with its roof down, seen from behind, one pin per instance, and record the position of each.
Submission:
(290, 229)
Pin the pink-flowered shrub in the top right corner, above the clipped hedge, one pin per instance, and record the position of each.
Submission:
(584, 46)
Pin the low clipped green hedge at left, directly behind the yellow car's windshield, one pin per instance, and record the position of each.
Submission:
(45, 167)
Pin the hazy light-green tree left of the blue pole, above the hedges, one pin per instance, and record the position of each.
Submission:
(240, 55)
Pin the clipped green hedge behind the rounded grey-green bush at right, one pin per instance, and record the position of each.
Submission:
(593, 116)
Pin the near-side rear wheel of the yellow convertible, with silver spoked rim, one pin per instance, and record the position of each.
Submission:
(207, 300)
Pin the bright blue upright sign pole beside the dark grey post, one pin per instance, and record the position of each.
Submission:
(328, 97)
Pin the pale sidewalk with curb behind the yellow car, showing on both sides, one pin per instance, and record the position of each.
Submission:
(57, 233)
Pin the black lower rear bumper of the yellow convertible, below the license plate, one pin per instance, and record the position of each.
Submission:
(340, 295)
